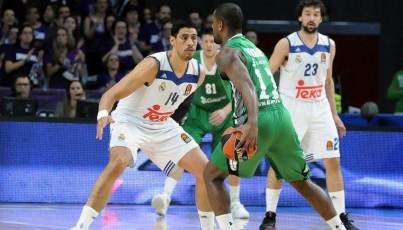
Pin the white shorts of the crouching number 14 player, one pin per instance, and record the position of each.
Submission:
(164, 143)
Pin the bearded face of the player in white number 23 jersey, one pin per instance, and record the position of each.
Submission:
(310, 19)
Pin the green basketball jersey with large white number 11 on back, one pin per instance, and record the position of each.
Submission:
(259, 71)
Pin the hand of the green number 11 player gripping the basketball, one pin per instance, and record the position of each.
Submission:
(248, 141)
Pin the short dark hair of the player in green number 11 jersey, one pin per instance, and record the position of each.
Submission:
(231, 15)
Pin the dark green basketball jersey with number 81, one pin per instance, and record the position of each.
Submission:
(213, 93)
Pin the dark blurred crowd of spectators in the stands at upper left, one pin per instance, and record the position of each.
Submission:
(96, 42)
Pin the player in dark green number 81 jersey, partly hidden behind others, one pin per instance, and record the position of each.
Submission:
(210, 112)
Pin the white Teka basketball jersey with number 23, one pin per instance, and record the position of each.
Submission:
(304, 75)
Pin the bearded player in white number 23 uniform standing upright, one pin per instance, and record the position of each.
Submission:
(306, 86)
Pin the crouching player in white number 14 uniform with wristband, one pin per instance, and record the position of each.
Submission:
(147, 96)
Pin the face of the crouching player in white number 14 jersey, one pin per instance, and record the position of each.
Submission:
(185, 43)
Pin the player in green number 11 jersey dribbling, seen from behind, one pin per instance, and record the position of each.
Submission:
(263, 120)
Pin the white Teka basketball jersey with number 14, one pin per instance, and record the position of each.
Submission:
(158, 101)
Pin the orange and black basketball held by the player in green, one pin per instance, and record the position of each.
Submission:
(229, 141)
